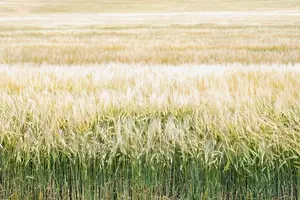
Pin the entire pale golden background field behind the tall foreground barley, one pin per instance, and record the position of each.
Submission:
(246, 32)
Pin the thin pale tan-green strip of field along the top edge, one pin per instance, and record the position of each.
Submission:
(85, 6)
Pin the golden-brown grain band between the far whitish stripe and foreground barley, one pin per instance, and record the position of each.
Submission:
(192, 44)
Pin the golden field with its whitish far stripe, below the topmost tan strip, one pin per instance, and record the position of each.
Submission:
(158, 38)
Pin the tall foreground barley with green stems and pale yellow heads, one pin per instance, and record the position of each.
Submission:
(133, 132)
